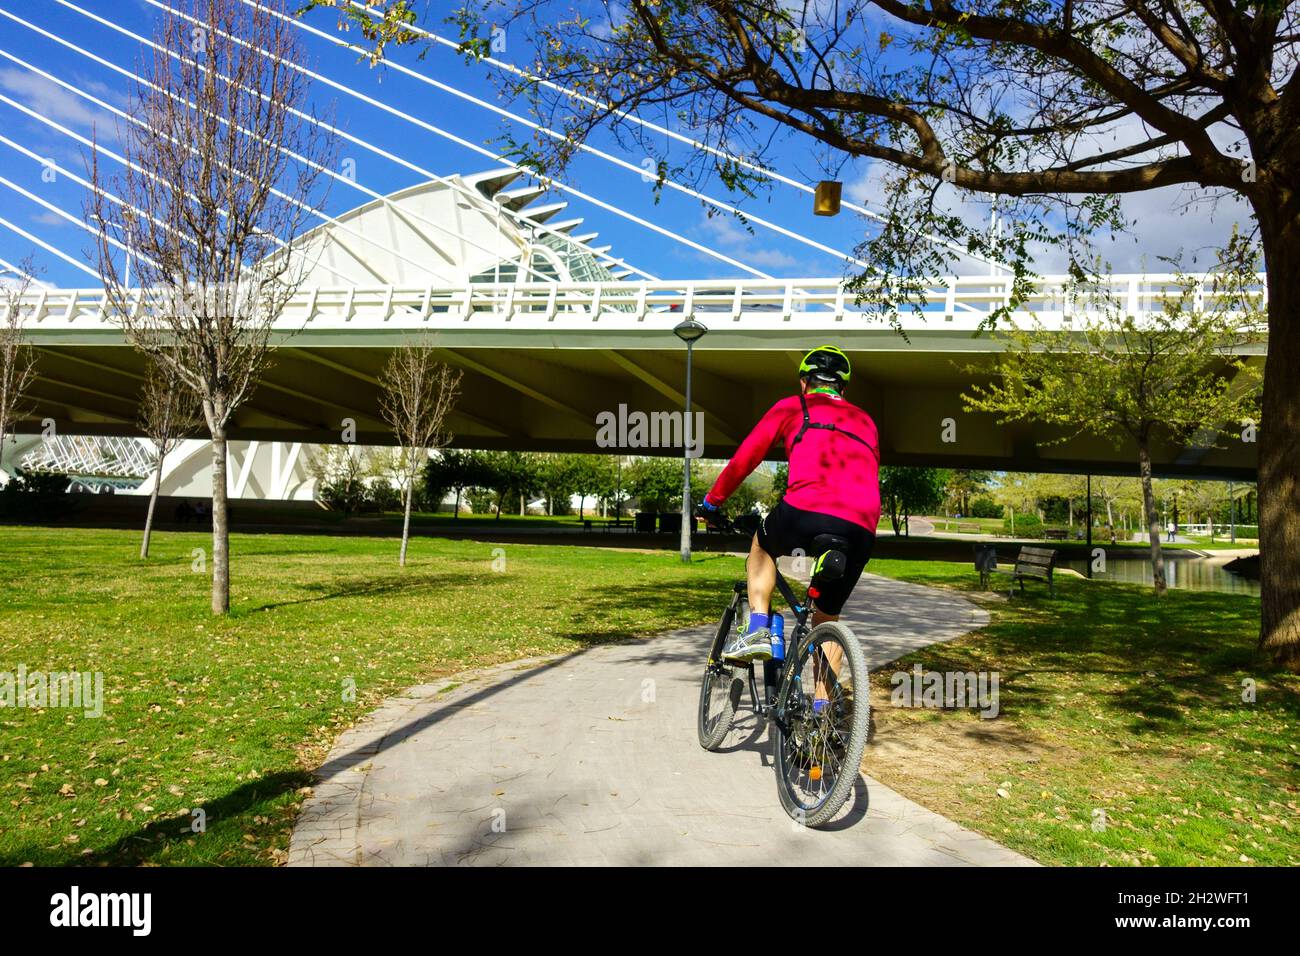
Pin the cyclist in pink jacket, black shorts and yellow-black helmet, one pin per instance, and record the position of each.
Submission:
(834, 488)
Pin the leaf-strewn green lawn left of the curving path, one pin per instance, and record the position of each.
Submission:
(229, 716)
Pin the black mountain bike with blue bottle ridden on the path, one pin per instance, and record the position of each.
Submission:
(817, 751)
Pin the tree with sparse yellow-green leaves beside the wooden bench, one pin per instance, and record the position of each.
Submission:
(1180, 377)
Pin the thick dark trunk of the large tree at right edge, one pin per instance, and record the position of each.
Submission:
(1280, 436)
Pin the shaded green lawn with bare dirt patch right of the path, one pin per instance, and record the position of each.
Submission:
(1111, 700)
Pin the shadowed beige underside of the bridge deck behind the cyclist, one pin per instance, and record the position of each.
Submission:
(543, 387)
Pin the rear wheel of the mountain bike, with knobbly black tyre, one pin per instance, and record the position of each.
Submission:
(818, 756)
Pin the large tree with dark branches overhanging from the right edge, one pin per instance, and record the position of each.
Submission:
(1058, 110)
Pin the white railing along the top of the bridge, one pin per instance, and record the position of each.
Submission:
(963, 301)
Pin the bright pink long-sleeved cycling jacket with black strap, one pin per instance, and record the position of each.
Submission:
(830, 473)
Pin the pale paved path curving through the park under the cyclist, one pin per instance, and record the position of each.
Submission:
(592, 759)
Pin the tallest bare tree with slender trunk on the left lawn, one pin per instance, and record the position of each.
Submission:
(209, 209)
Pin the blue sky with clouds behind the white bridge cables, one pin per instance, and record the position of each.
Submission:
(1165, 230)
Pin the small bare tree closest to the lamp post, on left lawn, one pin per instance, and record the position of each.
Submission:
(419, 395)
